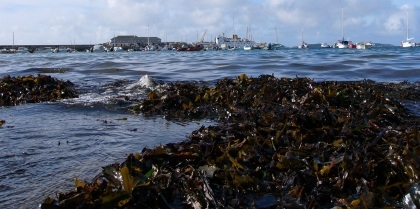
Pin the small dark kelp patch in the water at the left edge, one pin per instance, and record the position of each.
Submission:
(33, 89)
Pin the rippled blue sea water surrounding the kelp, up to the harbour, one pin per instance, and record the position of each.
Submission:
(44, 146)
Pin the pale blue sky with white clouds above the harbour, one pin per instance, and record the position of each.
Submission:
(32, 22)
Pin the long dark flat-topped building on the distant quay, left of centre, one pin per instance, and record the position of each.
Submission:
(127, 41)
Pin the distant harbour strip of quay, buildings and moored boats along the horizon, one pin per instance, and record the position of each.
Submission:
(221, 42)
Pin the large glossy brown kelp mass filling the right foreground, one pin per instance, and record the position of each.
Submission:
(279, 143)
